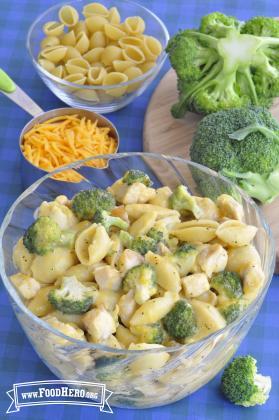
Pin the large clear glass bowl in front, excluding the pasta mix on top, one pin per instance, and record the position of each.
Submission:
(189, 366)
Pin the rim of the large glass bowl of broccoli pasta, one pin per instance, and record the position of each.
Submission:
(94, 346)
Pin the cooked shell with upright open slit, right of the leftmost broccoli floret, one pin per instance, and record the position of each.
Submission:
(92, 244)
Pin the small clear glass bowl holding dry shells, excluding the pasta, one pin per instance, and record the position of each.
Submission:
(98, 98)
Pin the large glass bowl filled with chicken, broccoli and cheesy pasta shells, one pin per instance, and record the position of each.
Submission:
(133, 277)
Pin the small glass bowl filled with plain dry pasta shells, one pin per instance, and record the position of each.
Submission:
(97, 56)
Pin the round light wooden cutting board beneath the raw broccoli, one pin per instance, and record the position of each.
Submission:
(167, 135)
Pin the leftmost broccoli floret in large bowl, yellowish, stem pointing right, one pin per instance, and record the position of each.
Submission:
(44, 235)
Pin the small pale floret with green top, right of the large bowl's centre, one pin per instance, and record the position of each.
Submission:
(184, 258)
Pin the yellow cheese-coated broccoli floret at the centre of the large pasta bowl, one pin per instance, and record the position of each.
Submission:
(141, 279)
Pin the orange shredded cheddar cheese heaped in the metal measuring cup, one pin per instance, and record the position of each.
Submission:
(66, 139)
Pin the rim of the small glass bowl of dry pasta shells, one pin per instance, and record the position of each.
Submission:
(159, 62)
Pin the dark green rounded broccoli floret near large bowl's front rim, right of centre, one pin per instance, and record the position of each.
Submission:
(180, 322)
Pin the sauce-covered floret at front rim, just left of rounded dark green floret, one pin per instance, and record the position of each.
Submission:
(150, 333)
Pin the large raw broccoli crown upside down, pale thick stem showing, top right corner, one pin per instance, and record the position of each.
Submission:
(225, 64)
